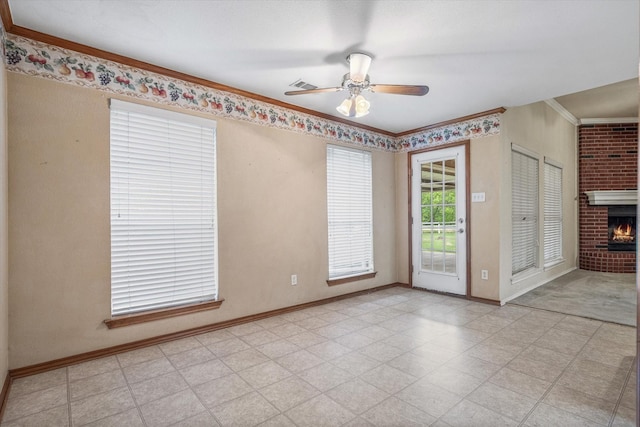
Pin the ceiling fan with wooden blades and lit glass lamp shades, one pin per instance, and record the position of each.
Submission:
(356, 81)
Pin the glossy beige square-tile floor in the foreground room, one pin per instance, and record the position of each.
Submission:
(397, 357)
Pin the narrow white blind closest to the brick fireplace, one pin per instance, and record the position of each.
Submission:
(552, 239)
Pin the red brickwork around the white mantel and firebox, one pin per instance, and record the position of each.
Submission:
(608, 160)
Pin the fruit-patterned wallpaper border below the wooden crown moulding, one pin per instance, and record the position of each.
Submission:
(34, 58)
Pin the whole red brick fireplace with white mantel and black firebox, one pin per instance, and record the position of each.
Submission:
(608, 165)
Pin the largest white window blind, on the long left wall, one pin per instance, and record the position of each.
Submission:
(163, 209)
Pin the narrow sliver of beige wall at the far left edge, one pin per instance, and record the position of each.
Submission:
(4, 248)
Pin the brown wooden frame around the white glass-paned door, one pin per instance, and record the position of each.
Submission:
(467, 171)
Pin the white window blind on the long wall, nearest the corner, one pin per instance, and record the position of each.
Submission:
(349, 209)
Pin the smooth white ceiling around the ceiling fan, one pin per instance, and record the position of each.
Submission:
(474, 55)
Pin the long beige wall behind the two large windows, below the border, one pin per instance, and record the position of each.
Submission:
(272, 223)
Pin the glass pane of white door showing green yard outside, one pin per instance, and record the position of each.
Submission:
(438, 202)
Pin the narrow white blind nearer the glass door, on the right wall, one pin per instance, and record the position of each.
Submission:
(524, 211)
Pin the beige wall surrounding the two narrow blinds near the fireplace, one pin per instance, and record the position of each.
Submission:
(543, 131)
